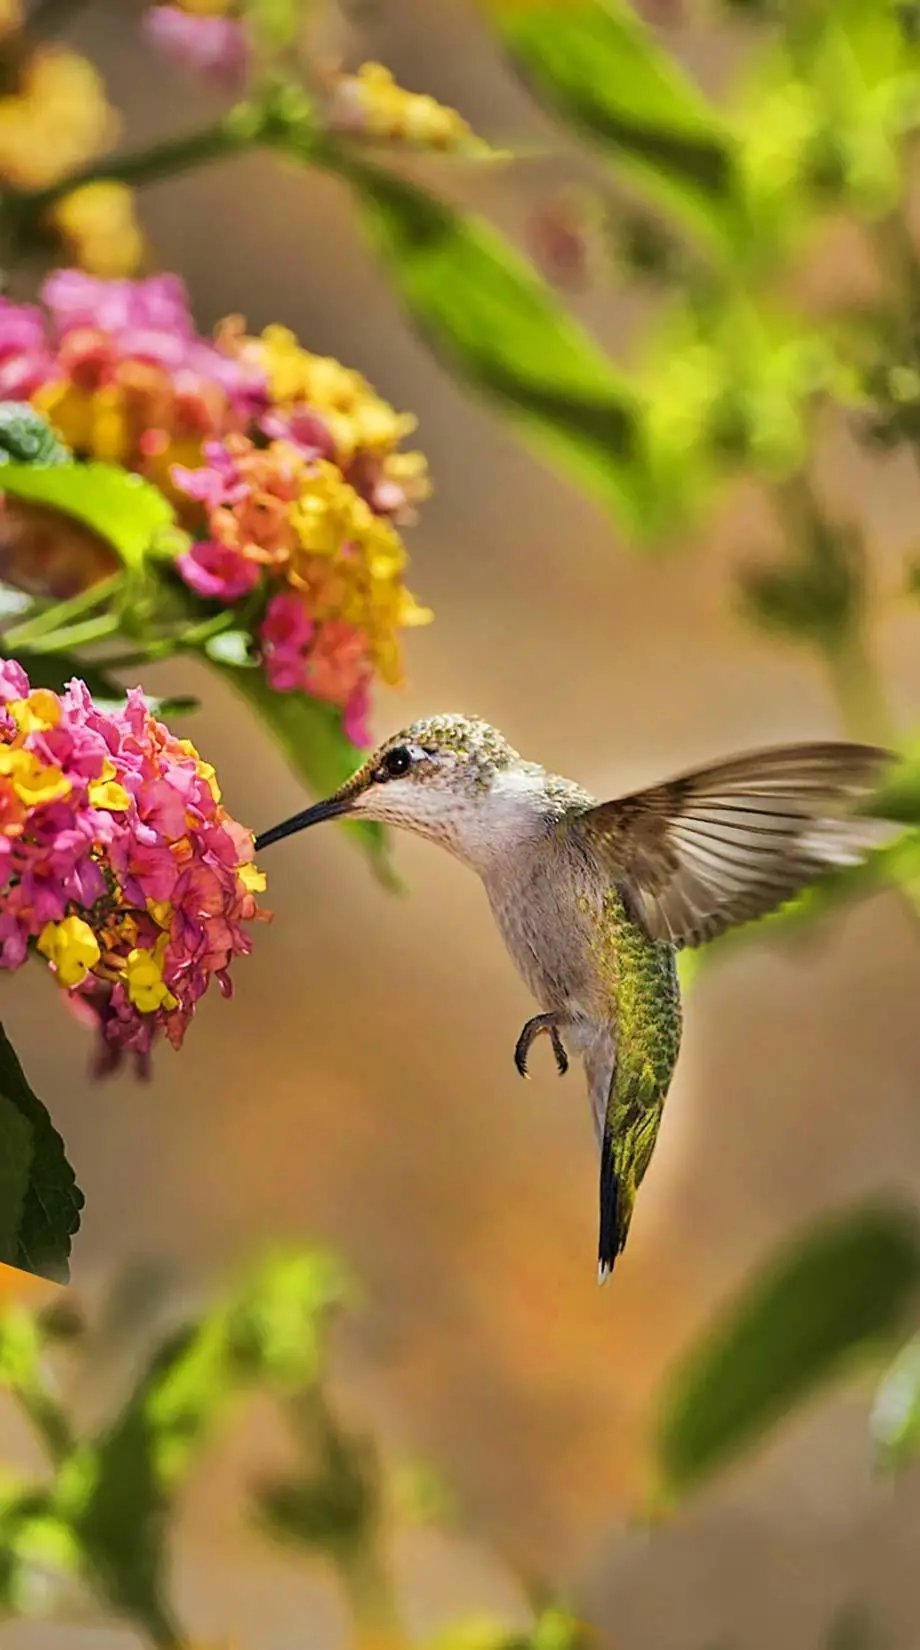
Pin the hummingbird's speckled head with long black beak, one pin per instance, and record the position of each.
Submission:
(449, 778)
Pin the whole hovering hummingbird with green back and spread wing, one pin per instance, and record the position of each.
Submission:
(594, 900)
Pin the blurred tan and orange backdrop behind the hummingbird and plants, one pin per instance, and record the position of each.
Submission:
(362, 1091)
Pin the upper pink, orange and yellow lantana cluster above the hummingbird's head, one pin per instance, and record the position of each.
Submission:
(288, 469)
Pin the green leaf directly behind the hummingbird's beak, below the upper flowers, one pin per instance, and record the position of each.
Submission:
(314, 742)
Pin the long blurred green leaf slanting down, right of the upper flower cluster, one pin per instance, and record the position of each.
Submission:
(504, 332)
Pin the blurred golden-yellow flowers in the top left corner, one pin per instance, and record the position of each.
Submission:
(52, 123)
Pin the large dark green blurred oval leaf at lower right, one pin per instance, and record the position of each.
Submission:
(833, 1296)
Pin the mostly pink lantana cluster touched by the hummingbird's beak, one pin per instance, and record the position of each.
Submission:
(118, 864)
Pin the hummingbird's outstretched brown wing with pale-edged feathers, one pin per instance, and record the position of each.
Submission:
(738, 839)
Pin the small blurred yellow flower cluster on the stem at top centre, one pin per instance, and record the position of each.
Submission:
(372, 105)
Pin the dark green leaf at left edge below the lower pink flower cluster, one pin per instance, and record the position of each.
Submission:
(40, 1200)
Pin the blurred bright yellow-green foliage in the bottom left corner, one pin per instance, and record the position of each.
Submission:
(105, 1514)
